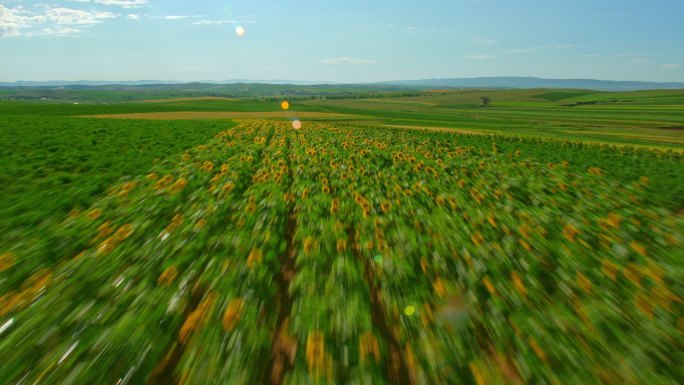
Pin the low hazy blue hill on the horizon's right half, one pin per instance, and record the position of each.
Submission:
(532, 82)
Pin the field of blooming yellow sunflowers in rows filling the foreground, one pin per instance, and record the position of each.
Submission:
(351, 254)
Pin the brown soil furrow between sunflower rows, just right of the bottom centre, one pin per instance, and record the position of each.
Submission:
(397, 372)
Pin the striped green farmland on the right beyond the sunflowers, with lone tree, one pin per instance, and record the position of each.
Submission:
(649, 118)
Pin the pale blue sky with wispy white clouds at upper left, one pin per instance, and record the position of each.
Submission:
(341, 41)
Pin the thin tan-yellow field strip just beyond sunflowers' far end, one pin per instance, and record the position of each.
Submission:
(200, 115)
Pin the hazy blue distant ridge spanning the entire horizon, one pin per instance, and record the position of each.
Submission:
(480, 82)
